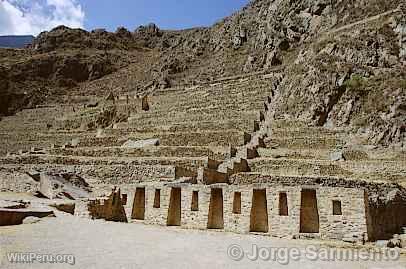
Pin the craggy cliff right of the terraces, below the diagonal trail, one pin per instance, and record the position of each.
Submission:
(353, 76)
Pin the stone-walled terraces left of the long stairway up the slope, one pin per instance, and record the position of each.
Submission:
(194, 126)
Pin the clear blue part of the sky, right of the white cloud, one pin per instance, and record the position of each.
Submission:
(167, 14)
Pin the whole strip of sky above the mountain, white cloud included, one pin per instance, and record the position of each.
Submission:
(21, 17)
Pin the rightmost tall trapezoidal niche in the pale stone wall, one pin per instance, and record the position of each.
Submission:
(309, 213)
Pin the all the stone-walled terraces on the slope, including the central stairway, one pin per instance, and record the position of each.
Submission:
(209, 133)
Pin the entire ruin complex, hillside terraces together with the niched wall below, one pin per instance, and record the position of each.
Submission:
(200, 160)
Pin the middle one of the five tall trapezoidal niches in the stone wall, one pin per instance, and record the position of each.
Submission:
(216, 217)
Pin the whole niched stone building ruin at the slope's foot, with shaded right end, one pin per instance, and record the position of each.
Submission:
(275, 206)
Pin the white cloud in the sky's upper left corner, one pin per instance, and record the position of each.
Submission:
(26, 17)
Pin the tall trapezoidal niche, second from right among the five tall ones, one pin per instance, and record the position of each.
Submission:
(259, 212)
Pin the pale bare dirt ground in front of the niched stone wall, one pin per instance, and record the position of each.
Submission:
(100, 244)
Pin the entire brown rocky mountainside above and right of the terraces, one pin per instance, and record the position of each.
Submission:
(343, 60)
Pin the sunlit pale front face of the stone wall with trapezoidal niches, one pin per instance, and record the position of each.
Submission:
(353, 220)
